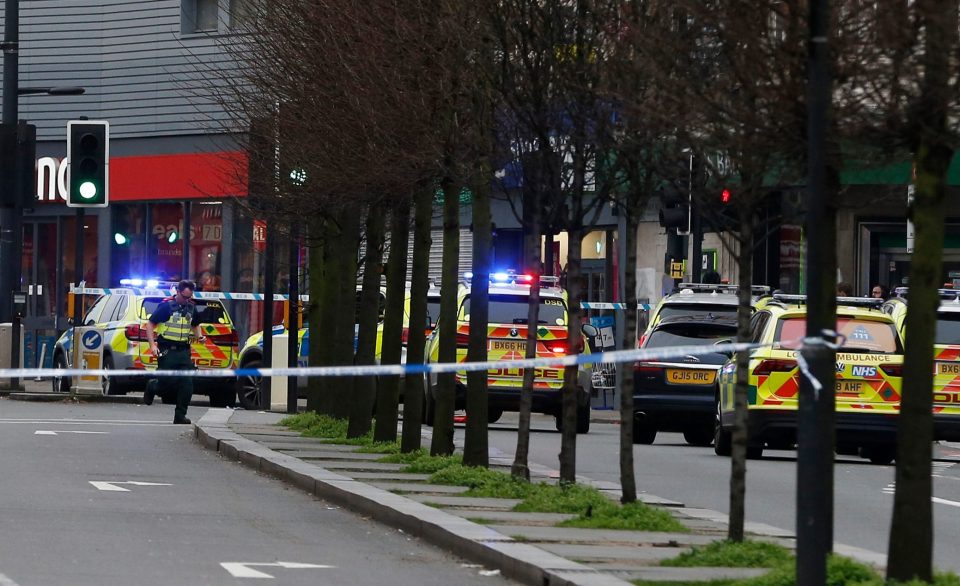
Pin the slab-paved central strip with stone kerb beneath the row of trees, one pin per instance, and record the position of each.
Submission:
(527, 547)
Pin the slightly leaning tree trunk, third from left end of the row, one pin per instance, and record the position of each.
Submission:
(365, 387)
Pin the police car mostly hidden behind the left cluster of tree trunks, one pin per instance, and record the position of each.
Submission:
(250, 387)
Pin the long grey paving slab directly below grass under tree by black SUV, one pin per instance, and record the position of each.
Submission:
(601, 536)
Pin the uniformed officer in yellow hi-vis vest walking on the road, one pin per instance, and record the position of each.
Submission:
(175, 320)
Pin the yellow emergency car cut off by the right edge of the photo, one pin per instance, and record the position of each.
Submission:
(946, 356)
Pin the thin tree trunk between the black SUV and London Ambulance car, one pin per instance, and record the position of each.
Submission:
(738, 456)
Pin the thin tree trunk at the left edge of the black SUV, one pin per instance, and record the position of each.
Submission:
(628, 482)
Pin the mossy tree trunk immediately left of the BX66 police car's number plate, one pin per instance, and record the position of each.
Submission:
(442, 443)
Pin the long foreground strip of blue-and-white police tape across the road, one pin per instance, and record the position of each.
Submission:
(615, 356)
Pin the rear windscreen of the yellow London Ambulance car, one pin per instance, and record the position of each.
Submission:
(858, 335)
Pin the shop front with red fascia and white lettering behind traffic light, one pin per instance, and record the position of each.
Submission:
(170, 217)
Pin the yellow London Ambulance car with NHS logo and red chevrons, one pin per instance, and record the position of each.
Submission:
(868, 378)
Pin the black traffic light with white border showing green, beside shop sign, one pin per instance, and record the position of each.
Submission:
(88, 163)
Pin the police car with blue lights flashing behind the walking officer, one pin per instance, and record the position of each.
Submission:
(117, 320)
